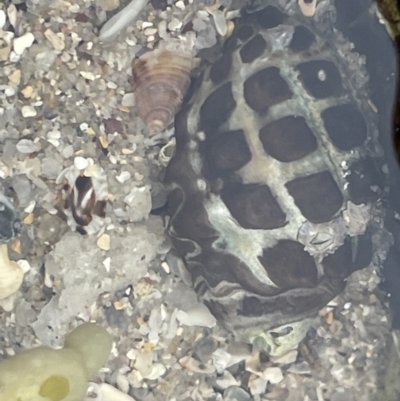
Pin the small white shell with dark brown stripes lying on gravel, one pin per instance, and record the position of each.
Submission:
(85, 196)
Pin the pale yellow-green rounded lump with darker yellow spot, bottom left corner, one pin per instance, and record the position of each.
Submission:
(46, 374)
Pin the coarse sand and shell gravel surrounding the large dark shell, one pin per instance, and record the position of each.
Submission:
(66, 99)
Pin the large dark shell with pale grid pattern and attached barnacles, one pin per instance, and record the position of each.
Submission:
(276, 181)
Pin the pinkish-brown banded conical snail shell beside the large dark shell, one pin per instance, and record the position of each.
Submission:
(161, 80)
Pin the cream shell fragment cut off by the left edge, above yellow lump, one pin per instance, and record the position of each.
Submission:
(11, 274)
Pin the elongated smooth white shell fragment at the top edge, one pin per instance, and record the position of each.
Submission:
(121, 20)
